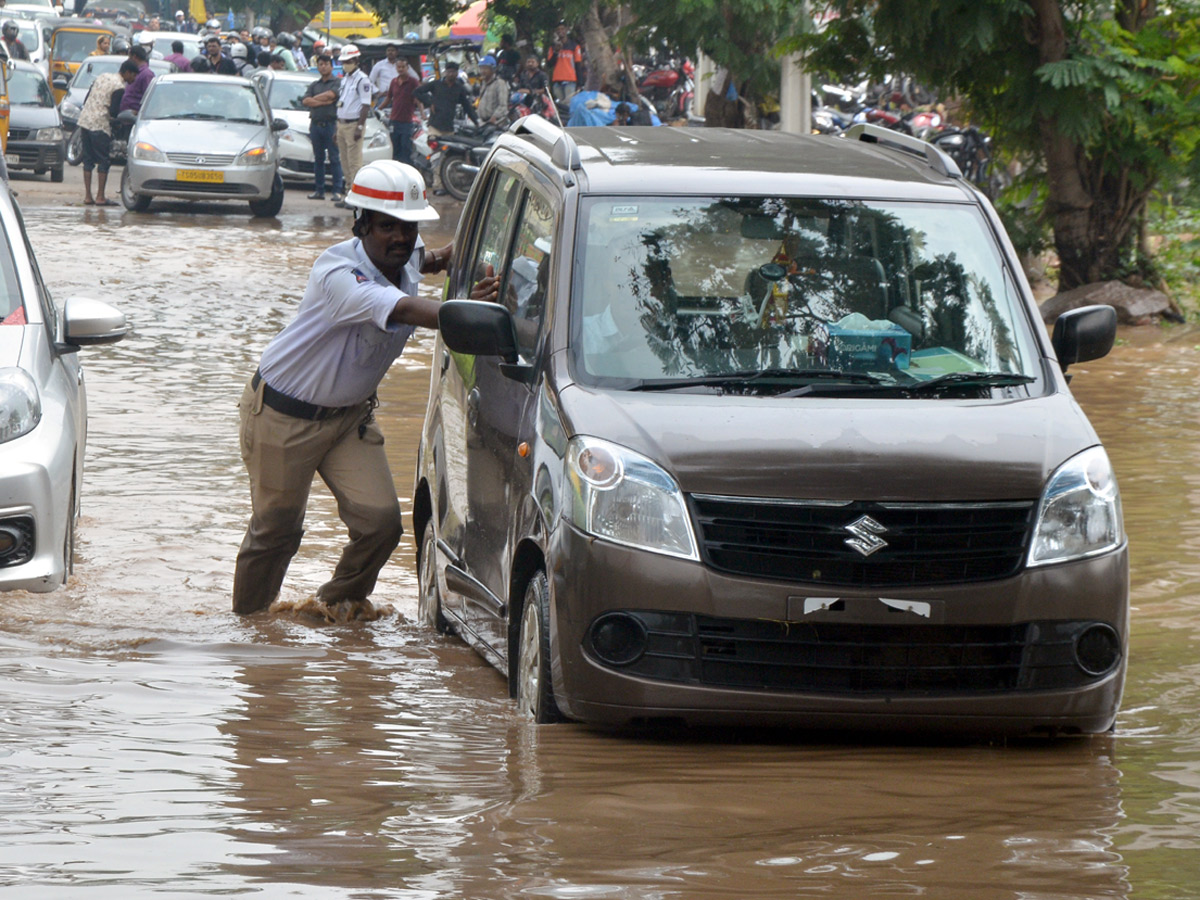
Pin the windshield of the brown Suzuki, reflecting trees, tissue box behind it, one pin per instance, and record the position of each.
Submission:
(793, 292)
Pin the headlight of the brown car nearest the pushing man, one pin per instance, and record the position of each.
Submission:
(625, 497)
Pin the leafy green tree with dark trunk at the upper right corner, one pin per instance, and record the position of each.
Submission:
(1105, 94)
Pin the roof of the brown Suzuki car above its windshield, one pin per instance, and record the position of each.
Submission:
(737, 161)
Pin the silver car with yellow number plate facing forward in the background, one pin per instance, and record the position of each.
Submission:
(205, 137)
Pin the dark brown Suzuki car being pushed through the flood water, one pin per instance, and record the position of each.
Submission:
(766, 431)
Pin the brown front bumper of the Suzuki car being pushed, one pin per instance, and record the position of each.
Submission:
(991, 657)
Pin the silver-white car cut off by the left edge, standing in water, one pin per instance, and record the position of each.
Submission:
(44, 413)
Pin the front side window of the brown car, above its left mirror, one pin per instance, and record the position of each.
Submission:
(529, 274)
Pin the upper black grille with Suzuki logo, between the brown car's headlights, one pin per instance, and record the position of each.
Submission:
(914, 544)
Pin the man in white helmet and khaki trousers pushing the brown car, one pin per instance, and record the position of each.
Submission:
(310, 407)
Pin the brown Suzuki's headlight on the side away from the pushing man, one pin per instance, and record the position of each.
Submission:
(1081, 512)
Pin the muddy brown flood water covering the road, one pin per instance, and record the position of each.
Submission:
(152, 743)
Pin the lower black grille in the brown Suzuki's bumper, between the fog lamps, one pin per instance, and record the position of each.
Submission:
(848, 658)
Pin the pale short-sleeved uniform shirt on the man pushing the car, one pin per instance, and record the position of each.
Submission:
(340, 345)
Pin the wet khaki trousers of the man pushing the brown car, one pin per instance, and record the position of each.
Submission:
(283, 454)
